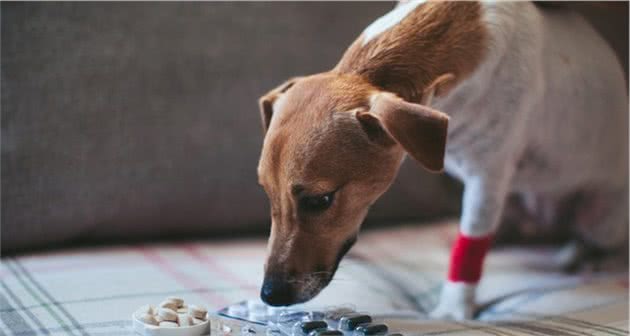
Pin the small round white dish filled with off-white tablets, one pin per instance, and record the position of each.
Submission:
(172, 317)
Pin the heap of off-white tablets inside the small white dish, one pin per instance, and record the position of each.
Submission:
(172, 313)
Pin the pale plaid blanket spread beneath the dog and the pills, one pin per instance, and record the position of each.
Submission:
(93, 291)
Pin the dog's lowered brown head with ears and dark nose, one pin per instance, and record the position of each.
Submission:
(333, 144)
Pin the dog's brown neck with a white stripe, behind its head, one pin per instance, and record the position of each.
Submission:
(407, 49)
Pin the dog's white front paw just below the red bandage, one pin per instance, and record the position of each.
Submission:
(457, 302)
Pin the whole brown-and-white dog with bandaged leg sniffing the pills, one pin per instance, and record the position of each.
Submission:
(509, 97)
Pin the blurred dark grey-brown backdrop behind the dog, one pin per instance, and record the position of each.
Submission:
(139, 120)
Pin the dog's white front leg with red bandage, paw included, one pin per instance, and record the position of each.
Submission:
(484, 197)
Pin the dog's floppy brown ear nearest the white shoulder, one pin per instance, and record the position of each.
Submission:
(420, 130)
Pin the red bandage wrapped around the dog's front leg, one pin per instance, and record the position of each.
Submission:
(467, 258)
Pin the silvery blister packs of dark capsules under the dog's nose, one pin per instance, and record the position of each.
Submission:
(333, 321)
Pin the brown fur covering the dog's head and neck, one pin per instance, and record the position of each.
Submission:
(346, 131)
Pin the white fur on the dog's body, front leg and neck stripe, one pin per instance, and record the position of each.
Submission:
(545, 114)
